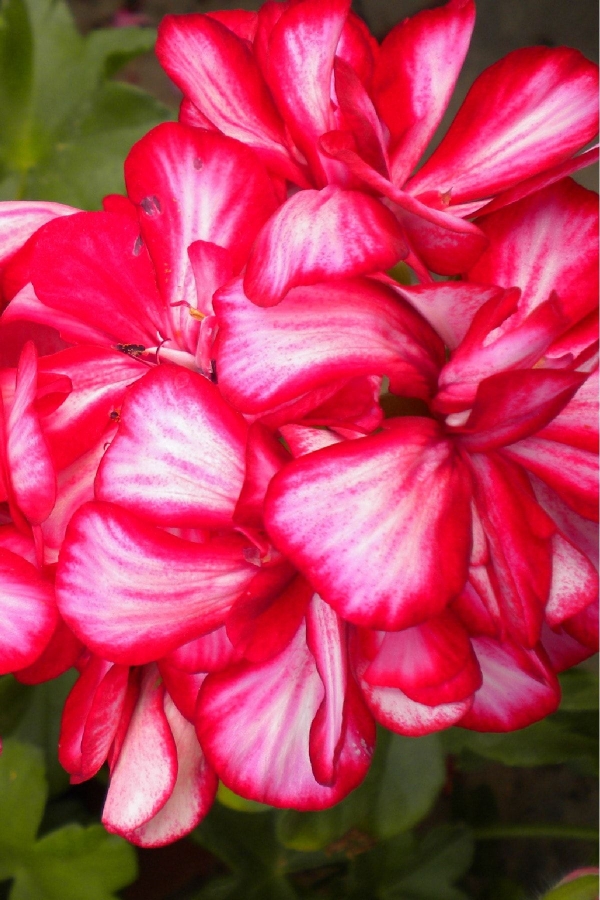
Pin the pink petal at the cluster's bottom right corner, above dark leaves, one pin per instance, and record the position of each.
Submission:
(519, 687)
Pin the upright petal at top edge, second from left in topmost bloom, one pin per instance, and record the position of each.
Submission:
(302, 48)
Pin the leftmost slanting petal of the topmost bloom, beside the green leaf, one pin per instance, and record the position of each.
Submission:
(217, 71)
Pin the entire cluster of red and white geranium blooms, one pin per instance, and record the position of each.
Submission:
(261, 493)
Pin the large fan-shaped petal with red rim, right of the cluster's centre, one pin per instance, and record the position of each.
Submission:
(365, 522)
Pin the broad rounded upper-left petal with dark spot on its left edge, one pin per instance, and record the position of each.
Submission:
(194, 185)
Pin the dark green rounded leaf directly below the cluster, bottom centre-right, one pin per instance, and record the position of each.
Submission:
(405, 779)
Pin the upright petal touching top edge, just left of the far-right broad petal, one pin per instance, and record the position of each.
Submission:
(419, 61)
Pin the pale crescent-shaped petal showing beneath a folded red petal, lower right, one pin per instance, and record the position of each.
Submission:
(394, 710)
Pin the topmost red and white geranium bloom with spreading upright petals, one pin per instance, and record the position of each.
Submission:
(306, 86)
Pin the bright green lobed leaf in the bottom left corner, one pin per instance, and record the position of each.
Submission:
(72, 863)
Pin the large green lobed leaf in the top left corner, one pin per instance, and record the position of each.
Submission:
(55, 94)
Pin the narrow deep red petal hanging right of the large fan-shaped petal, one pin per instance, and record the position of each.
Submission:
(519, 535)
